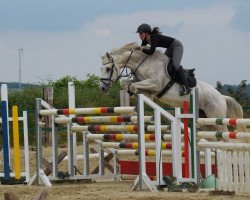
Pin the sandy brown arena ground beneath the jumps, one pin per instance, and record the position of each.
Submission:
(100, 189)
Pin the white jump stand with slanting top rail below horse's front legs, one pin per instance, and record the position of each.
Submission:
(143, 180)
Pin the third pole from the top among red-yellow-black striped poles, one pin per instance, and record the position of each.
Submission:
(116, 128)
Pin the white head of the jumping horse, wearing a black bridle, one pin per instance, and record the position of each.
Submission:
(110, 72)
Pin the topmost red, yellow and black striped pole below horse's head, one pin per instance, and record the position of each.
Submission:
(89, 111)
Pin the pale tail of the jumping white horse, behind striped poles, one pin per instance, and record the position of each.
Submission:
(234, 110)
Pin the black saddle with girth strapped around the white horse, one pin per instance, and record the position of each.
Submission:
(189, 73)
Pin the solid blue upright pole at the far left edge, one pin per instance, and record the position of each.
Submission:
(5, 141)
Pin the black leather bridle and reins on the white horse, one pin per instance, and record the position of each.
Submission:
(129, 75)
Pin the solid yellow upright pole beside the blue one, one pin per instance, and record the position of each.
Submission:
(16, 142)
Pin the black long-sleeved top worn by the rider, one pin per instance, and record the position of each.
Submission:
(157, 40)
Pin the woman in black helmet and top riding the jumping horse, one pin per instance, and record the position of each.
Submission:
(174, 50)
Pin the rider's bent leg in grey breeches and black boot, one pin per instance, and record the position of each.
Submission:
(177, 56)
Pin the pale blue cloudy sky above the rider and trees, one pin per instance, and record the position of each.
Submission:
(67, 37)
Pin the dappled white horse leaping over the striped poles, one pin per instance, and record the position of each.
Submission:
(150, 77)
